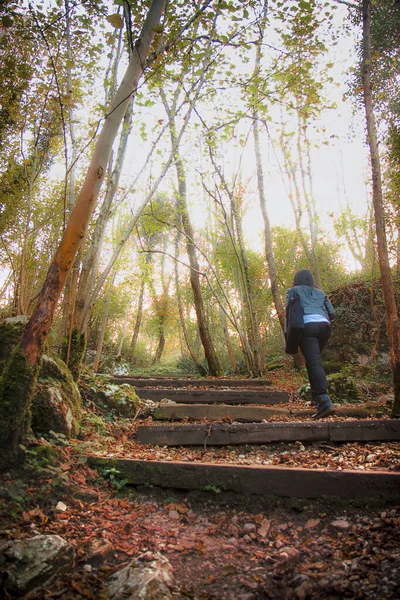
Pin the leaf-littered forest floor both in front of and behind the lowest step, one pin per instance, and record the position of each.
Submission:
(221, 545)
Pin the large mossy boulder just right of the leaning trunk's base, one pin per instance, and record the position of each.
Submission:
(57, 403)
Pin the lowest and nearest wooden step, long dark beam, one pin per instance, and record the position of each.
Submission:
(265, 480)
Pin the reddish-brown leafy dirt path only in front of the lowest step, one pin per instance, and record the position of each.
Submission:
(220, 546)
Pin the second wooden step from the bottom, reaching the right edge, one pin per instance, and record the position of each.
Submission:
(226, 434)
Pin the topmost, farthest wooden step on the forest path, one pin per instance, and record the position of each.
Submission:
(174, 382)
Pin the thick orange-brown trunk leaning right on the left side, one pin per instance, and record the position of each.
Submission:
(25, 359)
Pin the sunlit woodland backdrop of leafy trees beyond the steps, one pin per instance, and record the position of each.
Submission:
(240, 156)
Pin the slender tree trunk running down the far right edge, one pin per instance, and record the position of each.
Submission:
(392, 319)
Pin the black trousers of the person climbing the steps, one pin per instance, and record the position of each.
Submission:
(313, 340)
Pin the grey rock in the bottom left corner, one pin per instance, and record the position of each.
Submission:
(28, 564)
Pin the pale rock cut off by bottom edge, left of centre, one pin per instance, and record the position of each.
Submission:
(142, 580)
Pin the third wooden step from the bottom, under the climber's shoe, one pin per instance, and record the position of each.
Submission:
(248, 414)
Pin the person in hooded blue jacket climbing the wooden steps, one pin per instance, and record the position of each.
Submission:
(317, 312)
